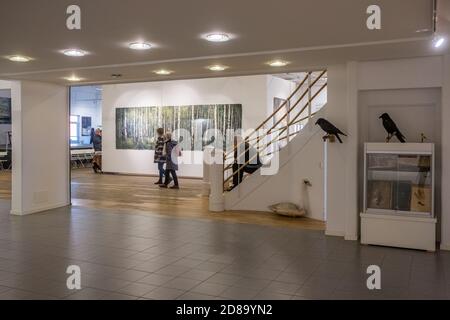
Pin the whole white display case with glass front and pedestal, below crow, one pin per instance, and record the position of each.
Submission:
(399, 195)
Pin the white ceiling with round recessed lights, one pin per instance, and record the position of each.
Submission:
(308, 33)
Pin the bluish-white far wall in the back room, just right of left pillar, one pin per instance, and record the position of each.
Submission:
(85, 101)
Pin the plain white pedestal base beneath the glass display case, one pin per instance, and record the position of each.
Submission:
(399, 231)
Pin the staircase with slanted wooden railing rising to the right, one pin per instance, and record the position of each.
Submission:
(281, 138)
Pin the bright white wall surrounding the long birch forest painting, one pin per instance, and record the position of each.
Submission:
(249, 91)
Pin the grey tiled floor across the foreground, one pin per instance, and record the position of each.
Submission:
(133, 256)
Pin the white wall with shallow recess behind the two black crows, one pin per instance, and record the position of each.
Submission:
(403, 82)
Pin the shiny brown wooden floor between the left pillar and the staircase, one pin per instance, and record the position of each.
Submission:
(138, 193)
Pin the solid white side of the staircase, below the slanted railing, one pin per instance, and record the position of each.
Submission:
(300, 159)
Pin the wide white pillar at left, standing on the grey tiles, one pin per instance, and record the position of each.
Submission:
(40, 178)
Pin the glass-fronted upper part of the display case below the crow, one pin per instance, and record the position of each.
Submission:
(399, 179)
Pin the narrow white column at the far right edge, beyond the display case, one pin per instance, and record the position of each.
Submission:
(445, 189)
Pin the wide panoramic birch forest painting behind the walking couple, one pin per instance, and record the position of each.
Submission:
(136, 127)
